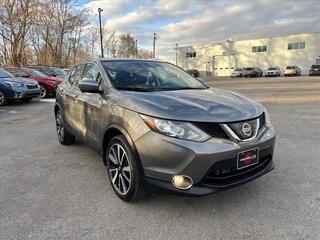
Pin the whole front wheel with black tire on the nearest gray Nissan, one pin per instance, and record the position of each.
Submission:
(125, 175)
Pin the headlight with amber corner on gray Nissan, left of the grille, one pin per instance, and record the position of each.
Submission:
(183, 130)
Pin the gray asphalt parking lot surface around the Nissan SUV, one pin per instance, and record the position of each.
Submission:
(50, 191)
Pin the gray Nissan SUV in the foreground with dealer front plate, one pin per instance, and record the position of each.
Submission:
(155, 125)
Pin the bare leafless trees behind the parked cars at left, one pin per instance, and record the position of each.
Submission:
(56, 33)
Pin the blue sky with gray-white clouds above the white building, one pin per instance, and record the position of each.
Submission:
(189, 22)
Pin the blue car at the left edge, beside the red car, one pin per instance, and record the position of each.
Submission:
(13, 89)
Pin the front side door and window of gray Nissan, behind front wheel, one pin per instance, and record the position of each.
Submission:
(91, 104)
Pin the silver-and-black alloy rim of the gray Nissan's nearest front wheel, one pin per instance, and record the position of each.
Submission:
(119, 168)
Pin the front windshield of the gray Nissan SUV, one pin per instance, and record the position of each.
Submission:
(149, 76)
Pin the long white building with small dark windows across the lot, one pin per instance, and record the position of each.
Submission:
(219, 59)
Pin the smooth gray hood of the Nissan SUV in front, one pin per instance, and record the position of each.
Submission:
(209, 105)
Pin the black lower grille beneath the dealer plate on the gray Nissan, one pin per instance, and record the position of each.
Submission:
(224, 173)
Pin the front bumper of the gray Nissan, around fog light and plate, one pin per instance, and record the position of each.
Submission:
(163, 157)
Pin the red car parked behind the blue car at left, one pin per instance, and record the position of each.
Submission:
(47, 84)
